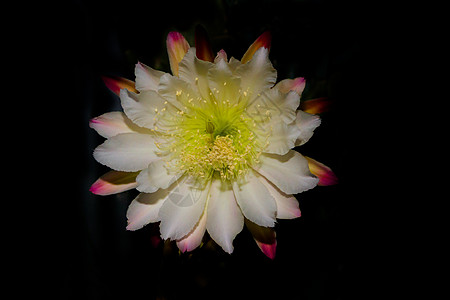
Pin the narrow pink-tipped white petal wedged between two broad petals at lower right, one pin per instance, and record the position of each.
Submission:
(287, 205)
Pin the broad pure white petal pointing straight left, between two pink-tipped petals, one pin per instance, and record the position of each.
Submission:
(129, 152)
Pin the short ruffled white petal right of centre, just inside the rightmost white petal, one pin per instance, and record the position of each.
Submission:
(282, 138)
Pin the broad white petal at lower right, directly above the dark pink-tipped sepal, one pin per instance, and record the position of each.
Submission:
(255, 201)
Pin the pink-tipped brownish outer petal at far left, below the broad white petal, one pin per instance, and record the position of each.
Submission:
(114, 182)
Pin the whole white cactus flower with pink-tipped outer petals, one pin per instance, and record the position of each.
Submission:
(208, 147)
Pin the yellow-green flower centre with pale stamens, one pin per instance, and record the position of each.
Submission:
(212, 139)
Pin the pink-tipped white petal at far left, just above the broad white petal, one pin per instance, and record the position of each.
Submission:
(114, 123)
